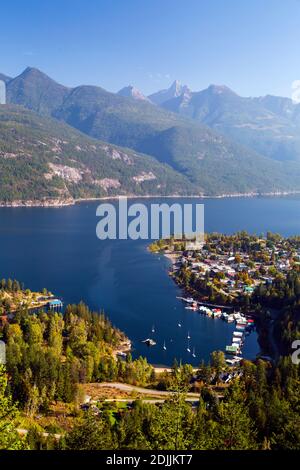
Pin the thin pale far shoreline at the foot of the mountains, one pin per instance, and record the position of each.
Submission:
(57, 203)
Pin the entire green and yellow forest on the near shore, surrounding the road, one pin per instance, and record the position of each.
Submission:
(51, 356)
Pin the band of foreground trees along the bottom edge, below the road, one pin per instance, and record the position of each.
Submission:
(260, 411)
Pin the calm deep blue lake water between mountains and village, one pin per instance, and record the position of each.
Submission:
(58, 249)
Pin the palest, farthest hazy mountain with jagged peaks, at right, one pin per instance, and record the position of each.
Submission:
(269, 125)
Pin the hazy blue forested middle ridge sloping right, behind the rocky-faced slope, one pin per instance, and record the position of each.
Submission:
(211, 161)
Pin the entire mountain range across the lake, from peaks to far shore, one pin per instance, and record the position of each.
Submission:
(211, 142)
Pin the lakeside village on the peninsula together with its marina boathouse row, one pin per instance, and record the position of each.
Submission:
(221, 276)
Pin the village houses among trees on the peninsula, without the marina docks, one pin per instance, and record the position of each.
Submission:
(234, 265)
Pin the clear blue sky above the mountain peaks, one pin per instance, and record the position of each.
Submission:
(251, 46)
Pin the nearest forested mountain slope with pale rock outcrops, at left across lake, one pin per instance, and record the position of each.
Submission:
(43, 159)
